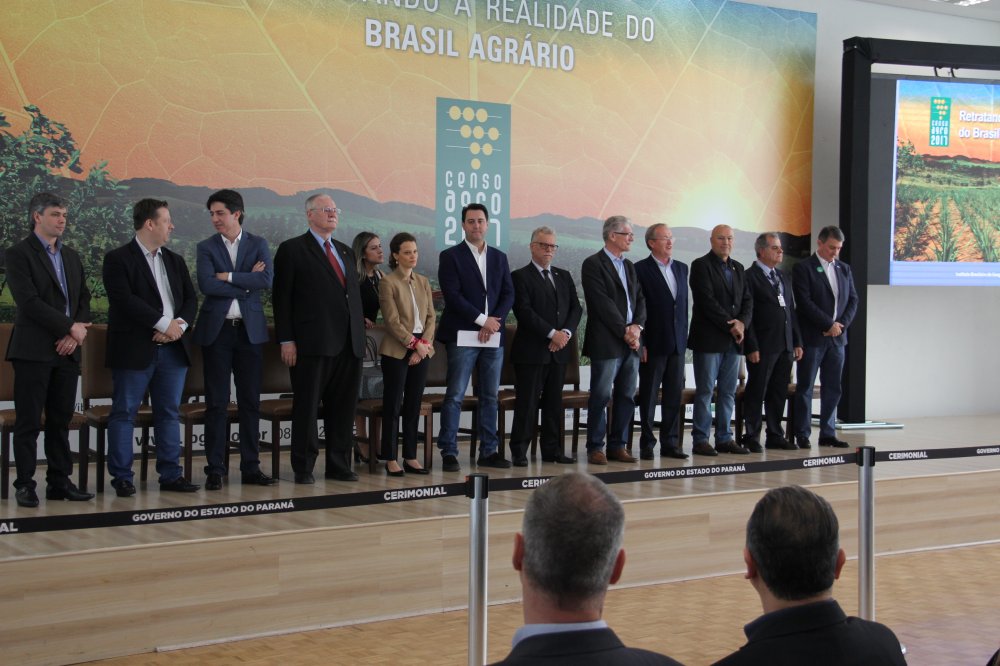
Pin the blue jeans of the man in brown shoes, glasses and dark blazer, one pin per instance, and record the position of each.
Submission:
(620, 374)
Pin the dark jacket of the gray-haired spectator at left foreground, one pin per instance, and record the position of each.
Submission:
(600, 647)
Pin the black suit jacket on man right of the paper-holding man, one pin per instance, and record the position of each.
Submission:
(539, 311)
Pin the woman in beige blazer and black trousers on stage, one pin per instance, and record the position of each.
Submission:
(408, 311)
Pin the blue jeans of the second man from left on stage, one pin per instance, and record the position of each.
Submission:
(164, 378)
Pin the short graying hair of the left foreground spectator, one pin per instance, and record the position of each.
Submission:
(573, 530)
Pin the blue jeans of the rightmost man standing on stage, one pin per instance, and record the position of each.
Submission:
(828, 360)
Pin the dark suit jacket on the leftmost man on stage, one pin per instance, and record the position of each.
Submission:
(41, 318)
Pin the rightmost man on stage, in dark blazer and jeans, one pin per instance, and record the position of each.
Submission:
(825, 303)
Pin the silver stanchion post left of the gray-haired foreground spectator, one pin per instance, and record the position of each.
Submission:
(477, 489)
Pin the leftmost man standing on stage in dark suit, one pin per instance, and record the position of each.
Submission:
(53, 312)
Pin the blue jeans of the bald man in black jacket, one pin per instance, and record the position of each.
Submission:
(711, 369)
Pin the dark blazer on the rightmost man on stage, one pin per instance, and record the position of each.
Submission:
(814, 300)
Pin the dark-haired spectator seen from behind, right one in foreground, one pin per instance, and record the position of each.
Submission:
(792, 556)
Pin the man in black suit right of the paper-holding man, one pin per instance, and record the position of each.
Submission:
(548, 312)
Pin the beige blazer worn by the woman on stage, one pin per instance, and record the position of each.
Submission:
(396, 304)
